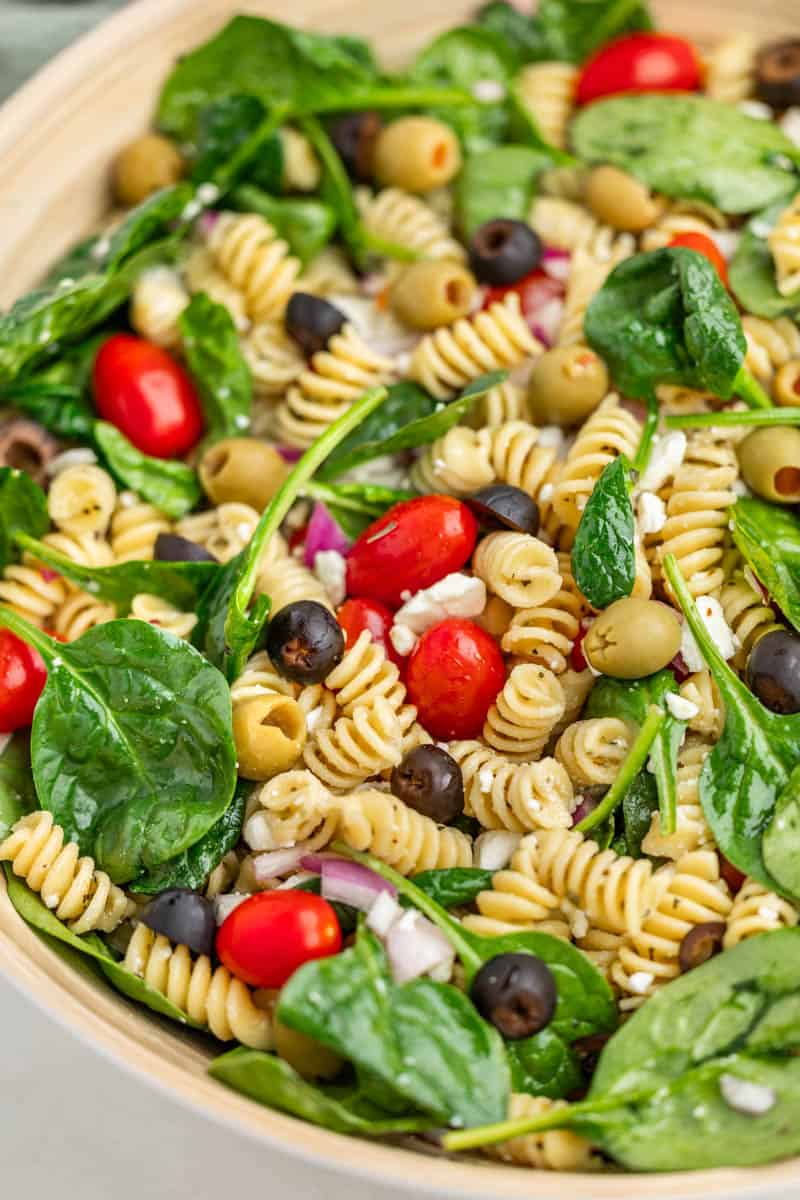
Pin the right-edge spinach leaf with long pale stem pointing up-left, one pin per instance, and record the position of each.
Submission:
(749, 770)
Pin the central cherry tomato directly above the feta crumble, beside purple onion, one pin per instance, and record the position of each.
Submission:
(412, 547)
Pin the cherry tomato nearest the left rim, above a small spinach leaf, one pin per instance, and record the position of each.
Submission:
(148, 397)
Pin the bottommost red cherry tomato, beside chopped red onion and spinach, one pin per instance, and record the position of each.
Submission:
(272, 934)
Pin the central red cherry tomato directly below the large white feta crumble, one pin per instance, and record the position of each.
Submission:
(454, 676)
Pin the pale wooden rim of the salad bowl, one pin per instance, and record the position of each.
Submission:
(58, 991)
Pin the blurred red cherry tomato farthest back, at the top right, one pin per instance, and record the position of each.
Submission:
(640, 63)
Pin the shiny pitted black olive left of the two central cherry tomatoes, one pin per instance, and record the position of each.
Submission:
(305, 641)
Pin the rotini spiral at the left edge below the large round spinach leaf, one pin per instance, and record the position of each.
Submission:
(68, 883)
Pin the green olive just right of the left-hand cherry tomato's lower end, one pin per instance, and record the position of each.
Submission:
(244, 471)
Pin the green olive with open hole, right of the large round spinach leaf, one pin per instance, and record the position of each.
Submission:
(269, 734)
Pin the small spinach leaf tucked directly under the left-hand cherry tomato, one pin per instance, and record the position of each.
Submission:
(167, 483)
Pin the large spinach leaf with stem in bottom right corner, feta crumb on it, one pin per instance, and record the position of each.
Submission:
(659, 1094)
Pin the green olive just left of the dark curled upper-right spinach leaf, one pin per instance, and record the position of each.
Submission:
(567, 385)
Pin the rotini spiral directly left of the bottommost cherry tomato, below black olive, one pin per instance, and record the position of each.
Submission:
(208, 995)
